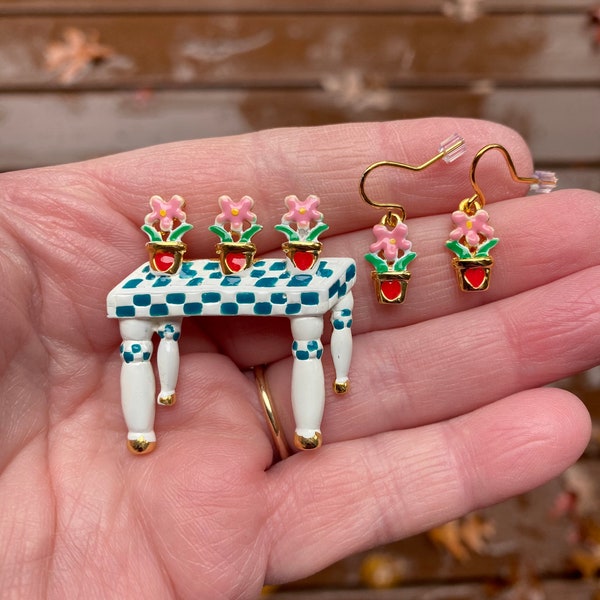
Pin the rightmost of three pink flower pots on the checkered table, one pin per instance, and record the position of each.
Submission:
(302, 225)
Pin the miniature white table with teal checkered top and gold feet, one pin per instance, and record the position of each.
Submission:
(146, 303)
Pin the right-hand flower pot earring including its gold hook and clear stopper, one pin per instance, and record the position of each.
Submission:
(472, 238)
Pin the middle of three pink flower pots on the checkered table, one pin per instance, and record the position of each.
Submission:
(236, 252)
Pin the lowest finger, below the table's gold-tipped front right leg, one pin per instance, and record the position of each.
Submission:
(355, 495)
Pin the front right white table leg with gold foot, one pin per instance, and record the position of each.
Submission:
(308, 382)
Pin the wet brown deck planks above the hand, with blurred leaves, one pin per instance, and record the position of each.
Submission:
(179, 70)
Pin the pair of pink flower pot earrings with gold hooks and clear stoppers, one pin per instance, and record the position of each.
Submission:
(471, 240)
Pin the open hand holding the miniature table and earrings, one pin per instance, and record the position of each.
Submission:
(446, 413)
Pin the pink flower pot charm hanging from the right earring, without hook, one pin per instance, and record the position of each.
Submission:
(471, 241)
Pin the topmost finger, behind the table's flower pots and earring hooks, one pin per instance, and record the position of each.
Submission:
(327, 161)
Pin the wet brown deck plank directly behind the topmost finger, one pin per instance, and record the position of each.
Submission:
(561, 130)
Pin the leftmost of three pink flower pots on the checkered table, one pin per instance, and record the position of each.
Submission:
(165, 226)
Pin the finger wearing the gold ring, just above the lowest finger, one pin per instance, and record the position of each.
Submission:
(430, 371)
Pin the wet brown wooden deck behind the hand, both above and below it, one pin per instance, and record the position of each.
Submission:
(185, 69)
